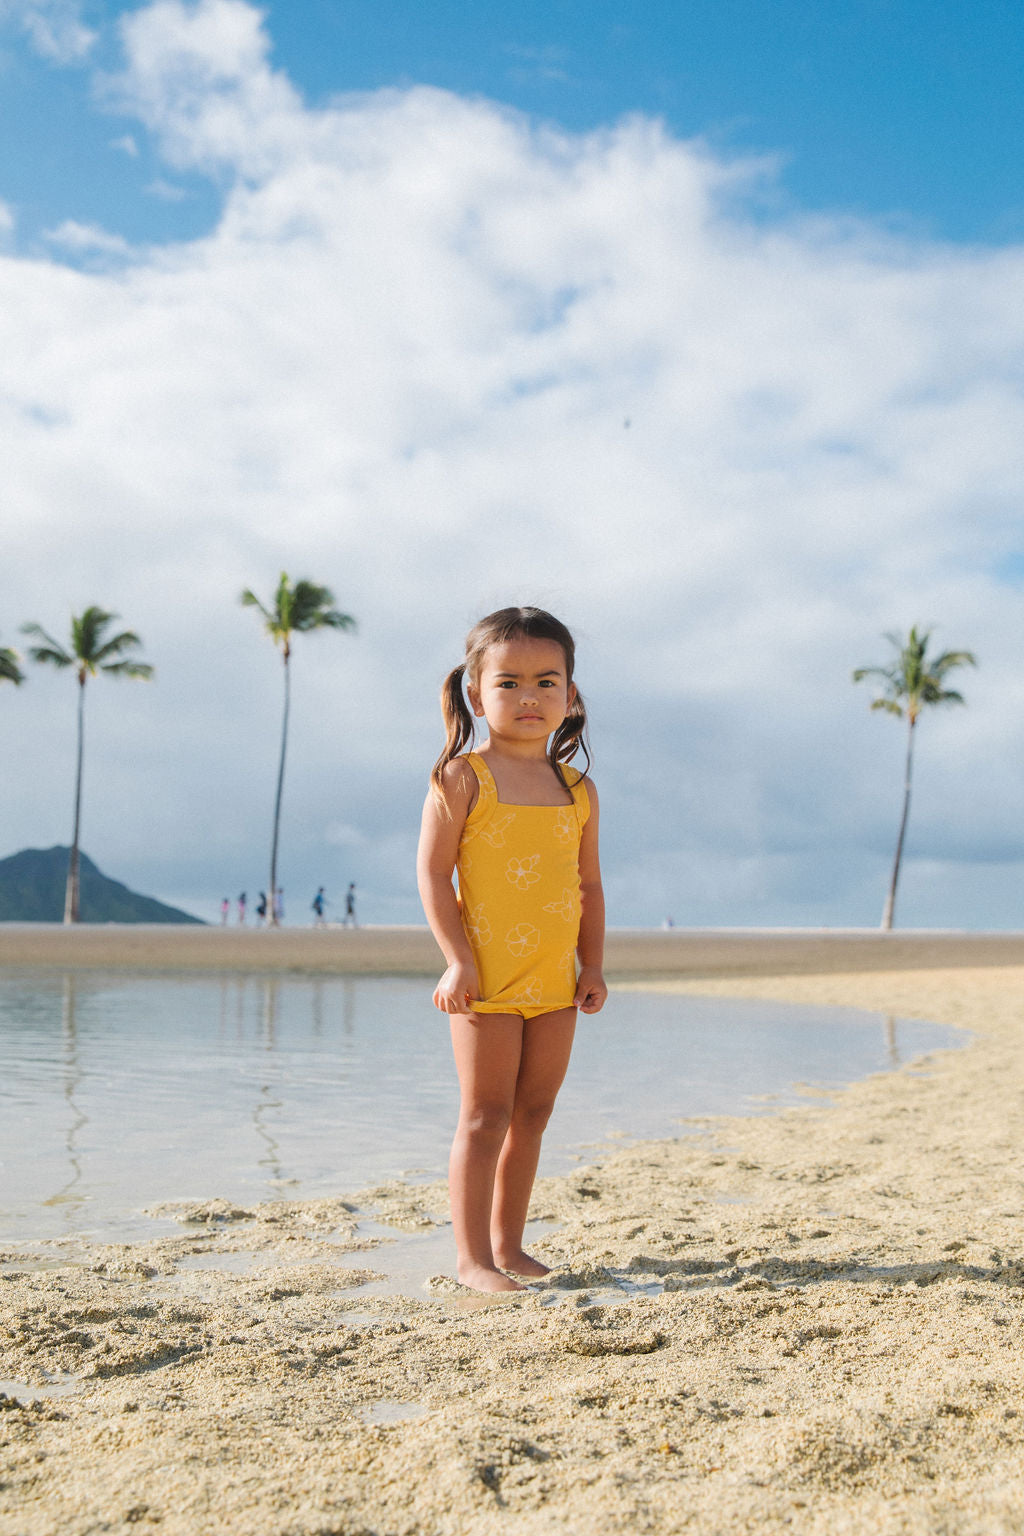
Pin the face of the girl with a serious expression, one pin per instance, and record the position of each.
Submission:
(523, 690)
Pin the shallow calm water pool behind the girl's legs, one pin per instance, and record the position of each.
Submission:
(122, 1091)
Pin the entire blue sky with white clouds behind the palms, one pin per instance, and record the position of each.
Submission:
(713, 345)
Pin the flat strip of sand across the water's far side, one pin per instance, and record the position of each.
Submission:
(632, 955)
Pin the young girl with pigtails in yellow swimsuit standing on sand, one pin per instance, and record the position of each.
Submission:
(521, 830)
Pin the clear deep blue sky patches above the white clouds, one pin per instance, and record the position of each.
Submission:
(907, 111)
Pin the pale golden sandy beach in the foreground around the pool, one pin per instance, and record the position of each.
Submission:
(798, 1322)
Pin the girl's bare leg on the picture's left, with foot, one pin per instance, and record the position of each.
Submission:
(487, 1056)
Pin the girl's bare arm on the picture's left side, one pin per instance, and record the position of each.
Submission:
(435, 864)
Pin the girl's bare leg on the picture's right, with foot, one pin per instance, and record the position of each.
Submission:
(547, 1042)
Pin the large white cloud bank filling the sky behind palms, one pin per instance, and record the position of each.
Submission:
(444, 360)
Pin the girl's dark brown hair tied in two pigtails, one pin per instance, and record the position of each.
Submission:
(507, 624)
